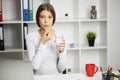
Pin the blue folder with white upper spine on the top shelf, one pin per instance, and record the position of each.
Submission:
(25, 10)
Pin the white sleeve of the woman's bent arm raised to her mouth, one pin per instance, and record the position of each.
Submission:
(35, 56)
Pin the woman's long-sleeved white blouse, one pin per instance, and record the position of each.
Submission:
(45, 58)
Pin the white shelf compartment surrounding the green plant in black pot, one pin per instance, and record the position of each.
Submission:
(101, 30)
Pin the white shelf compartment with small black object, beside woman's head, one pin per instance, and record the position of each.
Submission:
(66, 7)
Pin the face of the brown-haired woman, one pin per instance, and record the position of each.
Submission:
(46, 19)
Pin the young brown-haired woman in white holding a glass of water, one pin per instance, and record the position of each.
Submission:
(45, 55)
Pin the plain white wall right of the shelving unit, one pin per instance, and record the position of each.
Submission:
(114, 33)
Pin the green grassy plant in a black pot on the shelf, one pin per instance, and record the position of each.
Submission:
(91, 36)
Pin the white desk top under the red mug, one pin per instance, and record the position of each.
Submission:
(76, 76)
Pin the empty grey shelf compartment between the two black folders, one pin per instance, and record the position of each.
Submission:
(12, 36)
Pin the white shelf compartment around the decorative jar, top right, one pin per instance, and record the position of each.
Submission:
(85, 7)
